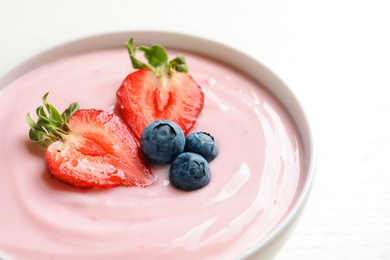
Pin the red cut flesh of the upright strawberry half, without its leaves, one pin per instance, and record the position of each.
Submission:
(145, 97)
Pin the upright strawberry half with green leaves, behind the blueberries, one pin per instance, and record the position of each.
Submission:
(160, 90)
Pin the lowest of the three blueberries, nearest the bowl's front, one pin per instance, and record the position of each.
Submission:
(189, 171)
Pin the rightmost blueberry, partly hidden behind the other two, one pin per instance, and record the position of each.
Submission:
(202, 143)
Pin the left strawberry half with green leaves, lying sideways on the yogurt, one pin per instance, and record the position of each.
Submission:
(89, 148)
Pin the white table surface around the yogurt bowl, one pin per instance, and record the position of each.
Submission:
(335, 55)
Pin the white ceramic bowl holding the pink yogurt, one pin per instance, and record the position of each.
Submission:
(254, 68)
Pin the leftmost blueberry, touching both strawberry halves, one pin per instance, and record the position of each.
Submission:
(162, 141)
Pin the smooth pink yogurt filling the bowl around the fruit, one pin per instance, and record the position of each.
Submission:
(256, 177)
